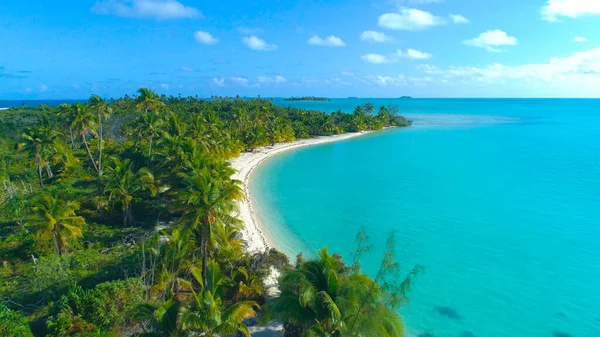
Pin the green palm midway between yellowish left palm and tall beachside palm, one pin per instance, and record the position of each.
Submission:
(122, 184)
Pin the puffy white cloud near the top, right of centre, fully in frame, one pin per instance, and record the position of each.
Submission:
(409, 19)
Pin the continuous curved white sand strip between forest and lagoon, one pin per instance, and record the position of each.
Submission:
(254, 231)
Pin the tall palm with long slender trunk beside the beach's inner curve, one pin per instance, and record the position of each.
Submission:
(207, 201)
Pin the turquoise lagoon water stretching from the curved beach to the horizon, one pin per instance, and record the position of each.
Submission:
(498, 199)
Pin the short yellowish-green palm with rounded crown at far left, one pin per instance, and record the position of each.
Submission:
(54, 217)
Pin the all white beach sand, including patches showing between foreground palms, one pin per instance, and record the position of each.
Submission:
(253, 232)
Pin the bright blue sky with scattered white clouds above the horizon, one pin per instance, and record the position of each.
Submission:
(277, 48)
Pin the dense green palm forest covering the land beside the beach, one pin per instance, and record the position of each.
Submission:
(117, 218)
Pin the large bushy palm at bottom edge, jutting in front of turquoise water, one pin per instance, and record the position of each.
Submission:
(324, 297)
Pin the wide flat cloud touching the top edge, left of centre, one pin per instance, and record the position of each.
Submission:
(154, 9)
